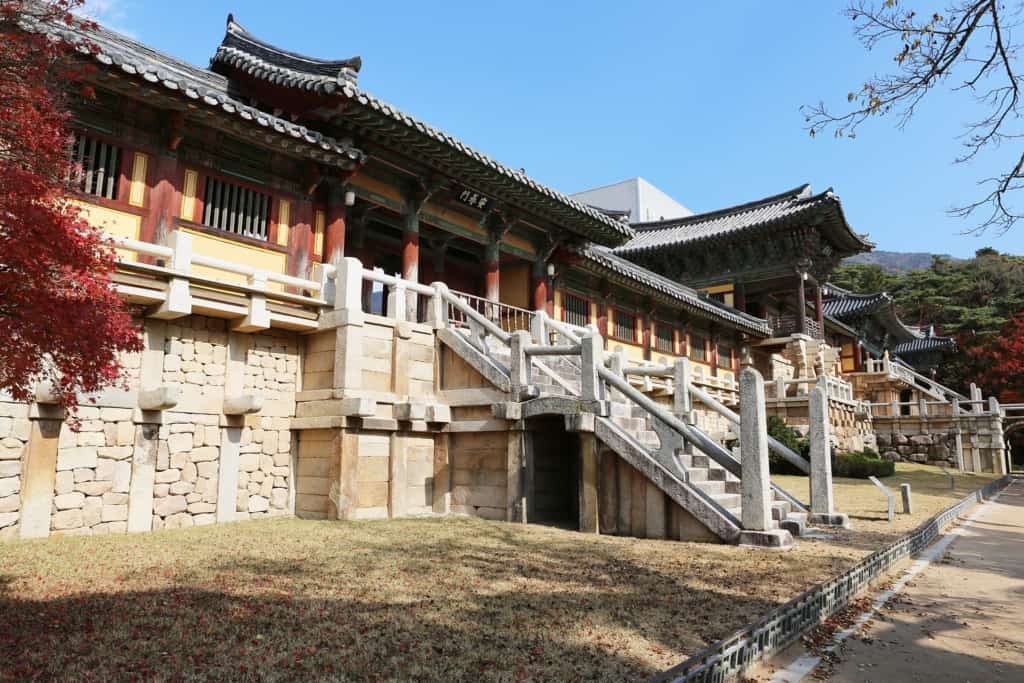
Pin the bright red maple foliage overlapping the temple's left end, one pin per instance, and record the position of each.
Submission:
(61, 320)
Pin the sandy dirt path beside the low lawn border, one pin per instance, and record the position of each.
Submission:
(960, 620)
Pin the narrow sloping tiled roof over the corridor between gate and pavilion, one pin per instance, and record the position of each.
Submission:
(603, 260)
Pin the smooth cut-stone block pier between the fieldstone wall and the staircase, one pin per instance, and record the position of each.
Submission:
(367, 424)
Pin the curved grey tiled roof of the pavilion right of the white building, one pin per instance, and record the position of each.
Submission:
(786, 207)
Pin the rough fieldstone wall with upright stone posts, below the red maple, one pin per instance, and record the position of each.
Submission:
(121, 468)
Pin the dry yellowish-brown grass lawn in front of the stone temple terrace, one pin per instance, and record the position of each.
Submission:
(418, 600)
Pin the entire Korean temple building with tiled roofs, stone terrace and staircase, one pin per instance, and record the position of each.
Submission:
(350, 314)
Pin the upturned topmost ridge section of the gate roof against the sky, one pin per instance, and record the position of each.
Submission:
(261, 60)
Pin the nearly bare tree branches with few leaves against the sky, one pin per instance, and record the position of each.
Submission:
(970, 36)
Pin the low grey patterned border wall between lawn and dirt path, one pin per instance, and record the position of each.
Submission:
(728, 659)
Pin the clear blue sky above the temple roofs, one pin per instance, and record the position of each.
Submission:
(701, 99)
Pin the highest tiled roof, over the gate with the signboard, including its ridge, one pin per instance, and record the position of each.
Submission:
(431, 145)
